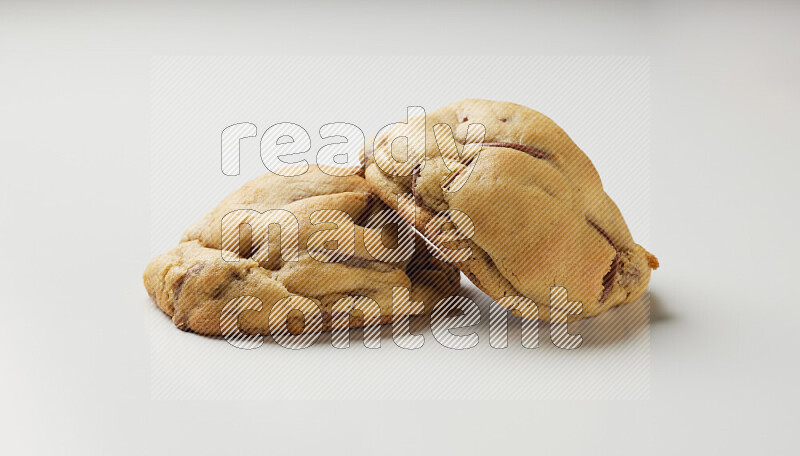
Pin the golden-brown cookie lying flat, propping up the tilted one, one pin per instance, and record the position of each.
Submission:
(323, 255)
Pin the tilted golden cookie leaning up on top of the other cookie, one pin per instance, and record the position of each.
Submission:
(539, 215)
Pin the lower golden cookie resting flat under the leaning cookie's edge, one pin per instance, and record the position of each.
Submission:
(193, 282)
